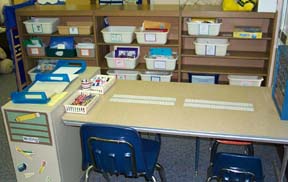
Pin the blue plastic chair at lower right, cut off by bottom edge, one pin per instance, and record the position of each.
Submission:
(230, 167)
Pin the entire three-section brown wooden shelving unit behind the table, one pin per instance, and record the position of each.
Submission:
(244, 56)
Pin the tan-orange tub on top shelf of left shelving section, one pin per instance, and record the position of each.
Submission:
(75, 28)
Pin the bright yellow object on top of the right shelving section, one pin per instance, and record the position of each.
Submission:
(238, 5)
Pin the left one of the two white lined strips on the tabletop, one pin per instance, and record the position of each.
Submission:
(169, 101)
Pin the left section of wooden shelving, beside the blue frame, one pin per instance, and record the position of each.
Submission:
(73, 13)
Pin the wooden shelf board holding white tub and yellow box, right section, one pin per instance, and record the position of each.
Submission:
(224, 35)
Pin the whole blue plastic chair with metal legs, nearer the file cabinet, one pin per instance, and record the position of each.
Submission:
(115, 150)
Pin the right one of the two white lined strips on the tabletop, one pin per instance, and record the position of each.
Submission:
(209, 104)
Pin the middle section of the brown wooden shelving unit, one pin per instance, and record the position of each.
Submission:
(125, 16)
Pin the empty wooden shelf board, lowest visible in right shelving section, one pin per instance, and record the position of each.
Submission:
(223, 70)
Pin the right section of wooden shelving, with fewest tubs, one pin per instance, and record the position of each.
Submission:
(244, 56)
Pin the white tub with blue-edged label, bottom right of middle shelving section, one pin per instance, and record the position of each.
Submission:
(156, 76)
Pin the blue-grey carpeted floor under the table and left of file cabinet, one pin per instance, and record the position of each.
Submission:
(177, 153)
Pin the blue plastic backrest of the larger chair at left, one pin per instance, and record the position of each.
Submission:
(112, 149)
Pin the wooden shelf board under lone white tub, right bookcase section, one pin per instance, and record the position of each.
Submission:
(230, 55)
